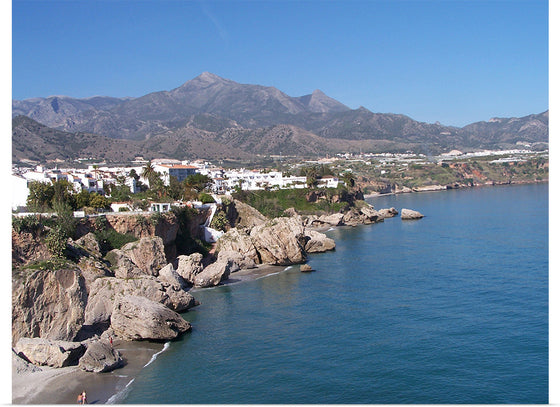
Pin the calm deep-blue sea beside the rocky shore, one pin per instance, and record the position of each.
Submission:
(452, 308)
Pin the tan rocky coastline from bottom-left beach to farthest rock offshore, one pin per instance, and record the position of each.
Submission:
(72, 318)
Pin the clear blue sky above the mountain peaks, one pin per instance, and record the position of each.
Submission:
(453, 61)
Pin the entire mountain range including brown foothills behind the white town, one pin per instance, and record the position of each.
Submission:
(212, 117)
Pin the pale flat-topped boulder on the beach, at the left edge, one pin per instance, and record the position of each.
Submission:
(46, 352)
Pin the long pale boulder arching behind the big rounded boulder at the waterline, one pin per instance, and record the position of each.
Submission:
(105, 292)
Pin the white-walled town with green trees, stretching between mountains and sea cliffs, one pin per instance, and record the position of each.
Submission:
(158, 184)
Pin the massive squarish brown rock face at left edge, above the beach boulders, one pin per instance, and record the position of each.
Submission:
(48, 304)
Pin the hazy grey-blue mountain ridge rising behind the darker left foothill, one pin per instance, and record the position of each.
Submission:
(215, 106)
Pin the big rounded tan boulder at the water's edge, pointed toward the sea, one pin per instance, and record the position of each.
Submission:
(137, 318)
